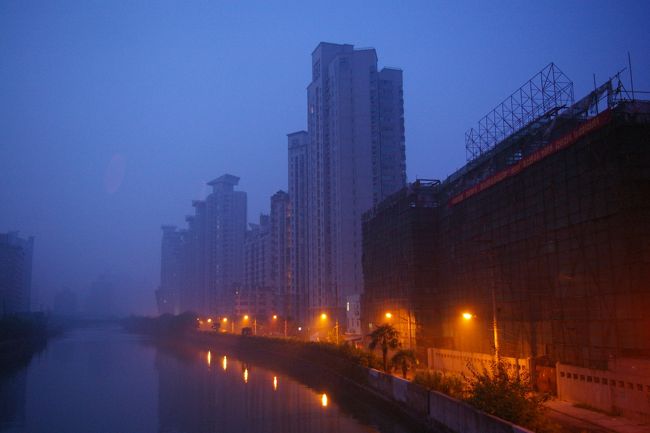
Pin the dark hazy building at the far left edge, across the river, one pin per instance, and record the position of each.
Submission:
(15, 273)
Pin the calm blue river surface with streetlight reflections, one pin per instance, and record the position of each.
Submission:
(105, 380)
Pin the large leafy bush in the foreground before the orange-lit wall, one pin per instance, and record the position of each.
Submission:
(508, 395)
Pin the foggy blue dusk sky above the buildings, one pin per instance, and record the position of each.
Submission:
(114, 114)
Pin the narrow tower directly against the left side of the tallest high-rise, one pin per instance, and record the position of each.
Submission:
(298, 222)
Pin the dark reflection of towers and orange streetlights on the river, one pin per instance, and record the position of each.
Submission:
(193, 398)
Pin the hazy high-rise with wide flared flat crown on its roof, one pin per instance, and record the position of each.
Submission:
(225, 233)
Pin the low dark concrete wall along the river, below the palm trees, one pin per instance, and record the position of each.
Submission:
(440, 409)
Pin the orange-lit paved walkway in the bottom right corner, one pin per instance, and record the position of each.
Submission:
(578, 420)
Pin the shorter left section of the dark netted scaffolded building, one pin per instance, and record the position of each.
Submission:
(399, 263)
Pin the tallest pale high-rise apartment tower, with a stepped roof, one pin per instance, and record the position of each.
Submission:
(355, 158)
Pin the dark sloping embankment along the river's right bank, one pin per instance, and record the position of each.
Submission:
(427, 410)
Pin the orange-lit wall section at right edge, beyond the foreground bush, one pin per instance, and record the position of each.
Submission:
(619, 389)
